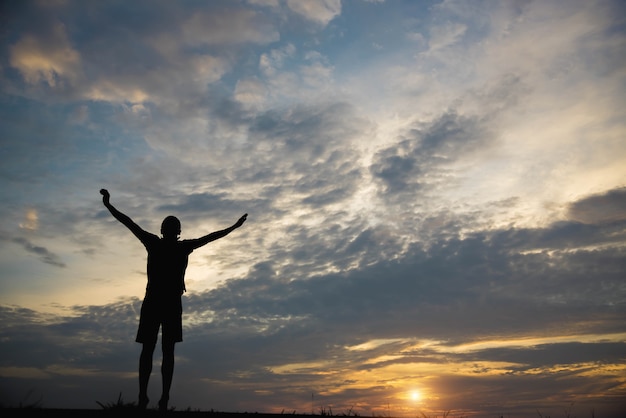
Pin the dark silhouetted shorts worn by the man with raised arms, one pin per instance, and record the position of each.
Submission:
(157, 312)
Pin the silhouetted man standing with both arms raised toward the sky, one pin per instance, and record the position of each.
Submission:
(162, 307)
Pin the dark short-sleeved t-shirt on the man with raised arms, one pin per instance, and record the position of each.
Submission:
(167, 262)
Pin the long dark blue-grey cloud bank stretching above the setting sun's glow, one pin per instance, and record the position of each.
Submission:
(476, 275)
